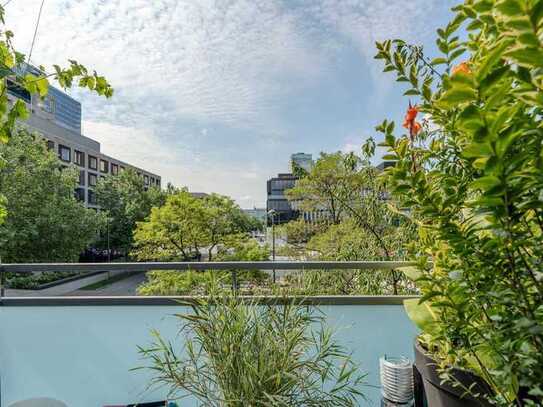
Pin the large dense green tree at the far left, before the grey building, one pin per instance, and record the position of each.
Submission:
(44, 220)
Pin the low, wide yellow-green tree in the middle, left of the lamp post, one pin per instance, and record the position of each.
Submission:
(185, 227)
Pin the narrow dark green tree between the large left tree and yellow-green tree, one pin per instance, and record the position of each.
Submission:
(126, 201)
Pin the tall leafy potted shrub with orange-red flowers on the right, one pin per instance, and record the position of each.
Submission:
(469, 171)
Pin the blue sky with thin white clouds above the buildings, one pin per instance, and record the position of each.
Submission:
(215, 95)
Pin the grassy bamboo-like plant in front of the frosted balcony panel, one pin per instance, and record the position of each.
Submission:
(238, 354)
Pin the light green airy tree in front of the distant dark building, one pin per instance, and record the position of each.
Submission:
(356, 222)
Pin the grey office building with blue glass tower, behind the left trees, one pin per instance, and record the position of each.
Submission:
(57, 118)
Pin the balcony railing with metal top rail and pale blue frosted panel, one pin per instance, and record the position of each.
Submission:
(83, 355)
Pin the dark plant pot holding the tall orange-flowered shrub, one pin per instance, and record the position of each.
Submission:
(445, 395)
